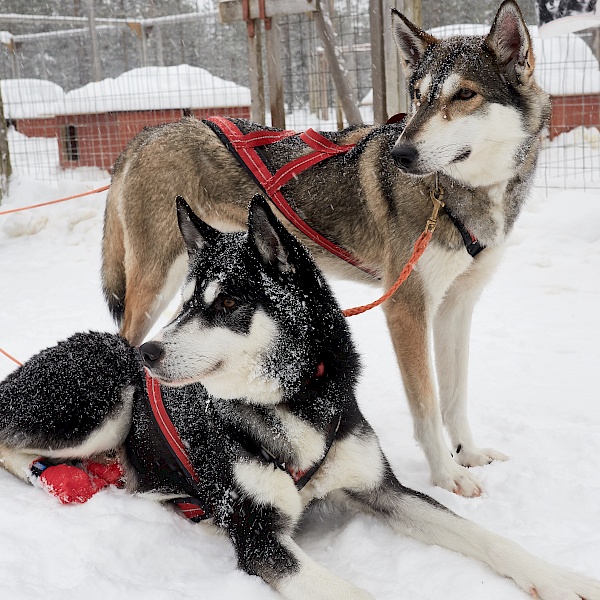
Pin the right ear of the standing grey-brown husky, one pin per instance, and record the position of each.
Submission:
(509, 40)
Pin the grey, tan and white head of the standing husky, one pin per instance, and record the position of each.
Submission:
(475, 102)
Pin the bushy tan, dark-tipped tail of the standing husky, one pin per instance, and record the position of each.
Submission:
(113, 261)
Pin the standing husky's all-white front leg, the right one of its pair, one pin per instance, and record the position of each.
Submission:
(451, 333)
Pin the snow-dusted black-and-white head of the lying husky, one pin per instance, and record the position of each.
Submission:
(257, 320)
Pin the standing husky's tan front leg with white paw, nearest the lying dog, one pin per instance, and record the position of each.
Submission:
(409, 332)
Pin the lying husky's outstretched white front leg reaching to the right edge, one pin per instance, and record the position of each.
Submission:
(419, 516)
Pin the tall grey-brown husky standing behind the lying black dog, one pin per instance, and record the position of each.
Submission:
(476, 120)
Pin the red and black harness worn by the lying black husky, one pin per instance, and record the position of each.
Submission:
(177, 460)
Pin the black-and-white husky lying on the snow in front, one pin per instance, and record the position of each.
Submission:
(258, 373)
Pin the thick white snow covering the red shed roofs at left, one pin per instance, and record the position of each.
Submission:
(147, 88)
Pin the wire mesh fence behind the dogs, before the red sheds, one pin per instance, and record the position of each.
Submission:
(63, 125)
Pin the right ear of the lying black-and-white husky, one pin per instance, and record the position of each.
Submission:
(268, 236)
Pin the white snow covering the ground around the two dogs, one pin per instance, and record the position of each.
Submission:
(534, 394)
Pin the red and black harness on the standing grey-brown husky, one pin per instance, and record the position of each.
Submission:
(244, 147)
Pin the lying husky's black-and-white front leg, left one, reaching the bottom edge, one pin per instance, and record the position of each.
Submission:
(260, 524)
